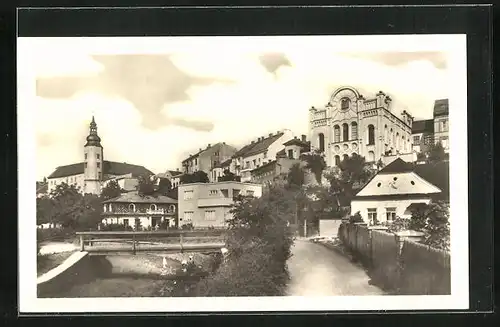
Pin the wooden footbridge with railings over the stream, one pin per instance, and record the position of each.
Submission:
(126, 242)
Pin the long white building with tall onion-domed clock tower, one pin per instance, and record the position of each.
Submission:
(91, 174)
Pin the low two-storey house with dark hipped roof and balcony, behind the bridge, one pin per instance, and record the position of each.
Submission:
(132, 209)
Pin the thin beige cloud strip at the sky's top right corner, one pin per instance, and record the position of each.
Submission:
(438, 59)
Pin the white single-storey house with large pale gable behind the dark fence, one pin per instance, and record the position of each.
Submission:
(391, 192)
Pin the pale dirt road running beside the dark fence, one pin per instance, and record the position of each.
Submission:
(318, 271)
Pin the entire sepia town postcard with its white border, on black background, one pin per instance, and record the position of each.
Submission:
(171, 174)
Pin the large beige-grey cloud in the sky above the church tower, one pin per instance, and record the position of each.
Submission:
(147, 81)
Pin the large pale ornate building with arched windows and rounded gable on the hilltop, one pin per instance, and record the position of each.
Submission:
(350, 124)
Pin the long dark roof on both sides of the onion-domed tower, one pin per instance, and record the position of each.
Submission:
(109, 168)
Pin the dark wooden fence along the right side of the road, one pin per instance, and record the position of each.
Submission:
(398, 262)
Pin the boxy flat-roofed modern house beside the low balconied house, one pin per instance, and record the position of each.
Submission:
(206, 205)
